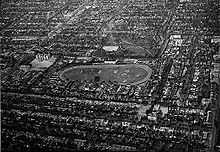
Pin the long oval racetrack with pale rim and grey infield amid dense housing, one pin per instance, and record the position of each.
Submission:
(123, 74)
